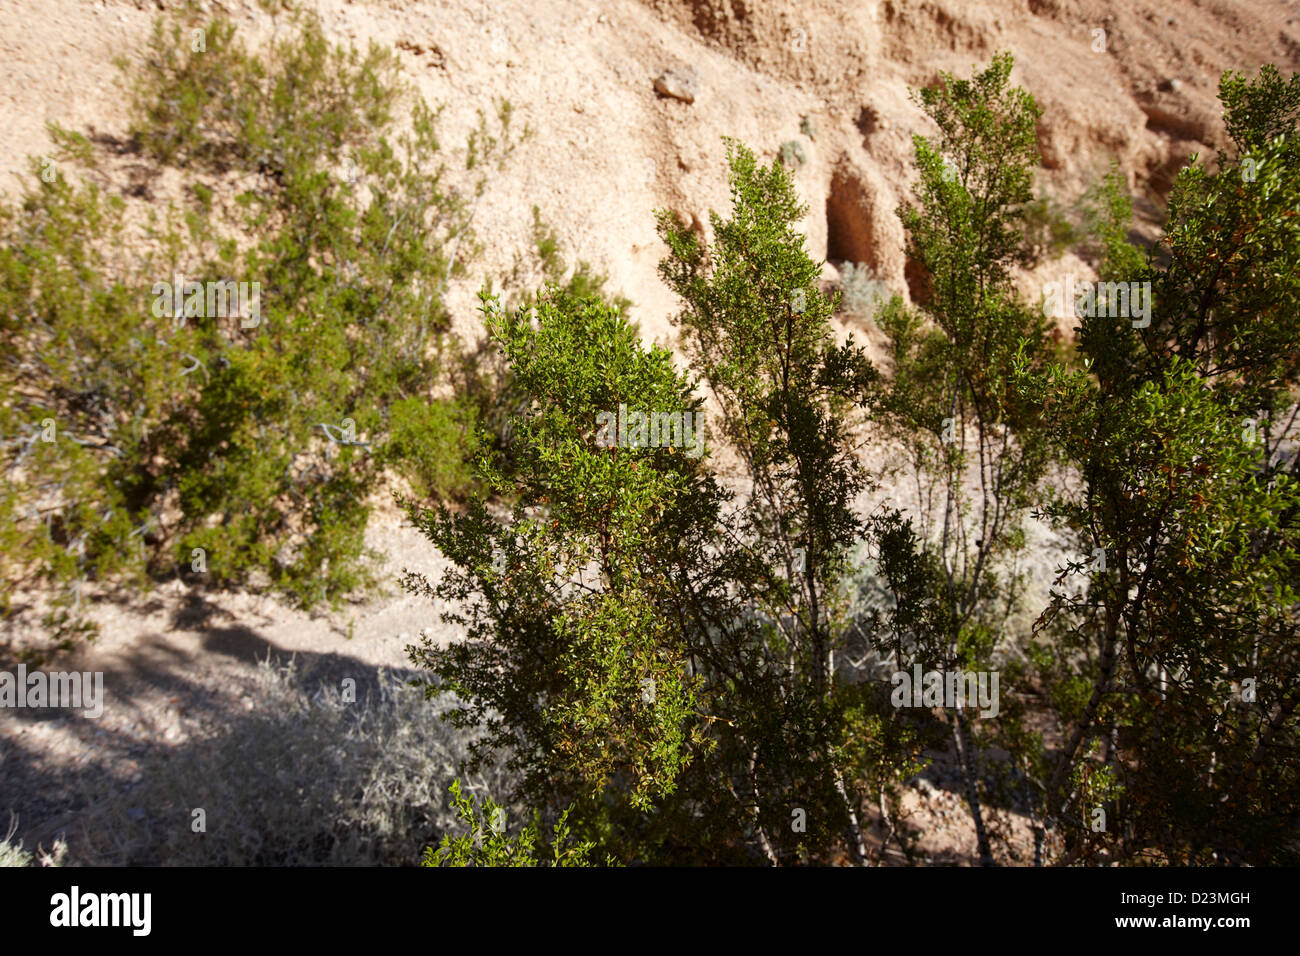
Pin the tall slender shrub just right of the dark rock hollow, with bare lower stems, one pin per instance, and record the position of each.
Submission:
(972, 445)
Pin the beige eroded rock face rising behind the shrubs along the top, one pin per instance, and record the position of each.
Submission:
(1132, 80)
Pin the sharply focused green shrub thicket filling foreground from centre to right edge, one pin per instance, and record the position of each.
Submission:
(669, 654)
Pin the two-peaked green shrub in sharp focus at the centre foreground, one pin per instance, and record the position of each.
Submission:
(660, 652)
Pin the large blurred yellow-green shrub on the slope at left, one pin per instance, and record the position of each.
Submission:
(151, 430)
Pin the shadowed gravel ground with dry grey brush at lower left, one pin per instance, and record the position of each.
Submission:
(51, 795)
